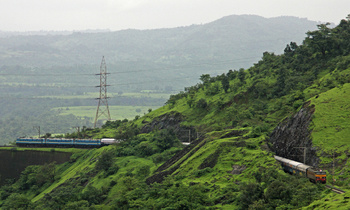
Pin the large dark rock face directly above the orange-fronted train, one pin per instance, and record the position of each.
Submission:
(291, 136)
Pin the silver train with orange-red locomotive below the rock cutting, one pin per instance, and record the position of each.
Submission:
(294, 167)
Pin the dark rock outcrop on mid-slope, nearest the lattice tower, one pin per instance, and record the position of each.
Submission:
(171, 121)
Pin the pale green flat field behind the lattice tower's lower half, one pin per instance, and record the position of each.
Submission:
(117, 112)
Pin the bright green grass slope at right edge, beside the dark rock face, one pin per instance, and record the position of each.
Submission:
(331, 131)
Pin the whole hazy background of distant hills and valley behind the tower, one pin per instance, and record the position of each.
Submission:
(41, 72)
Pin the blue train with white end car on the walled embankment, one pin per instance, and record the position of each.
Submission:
(80, 143)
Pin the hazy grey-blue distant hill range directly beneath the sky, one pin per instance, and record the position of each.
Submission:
(186, 52)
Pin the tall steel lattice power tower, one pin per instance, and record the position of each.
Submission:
(102, 107)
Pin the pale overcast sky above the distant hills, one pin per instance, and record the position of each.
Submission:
(34, 15)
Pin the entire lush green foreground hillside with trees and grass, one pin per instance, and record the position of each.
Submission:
(232, 121)
